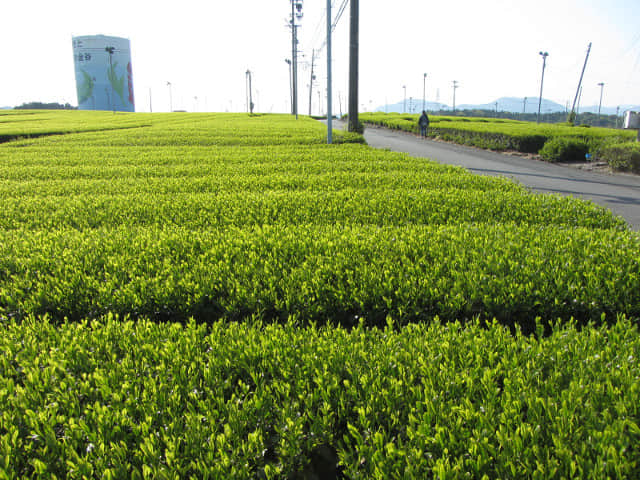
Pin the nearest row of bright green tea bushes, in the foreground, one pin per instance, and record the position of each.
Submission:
(117, 399)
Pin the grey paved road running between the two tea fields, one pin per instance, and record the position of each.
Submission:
(620, 193)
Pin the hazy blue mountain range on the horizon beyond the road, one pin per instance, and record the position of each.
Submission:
(504, 104)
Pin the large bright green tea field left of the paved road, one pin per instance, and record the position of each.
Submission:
(225, 296)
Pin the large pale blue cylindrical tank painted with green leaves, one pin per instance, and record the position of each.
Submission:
(104, 78)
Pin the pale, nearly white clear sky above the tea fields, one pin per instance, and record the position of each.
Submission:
(490, 47)
